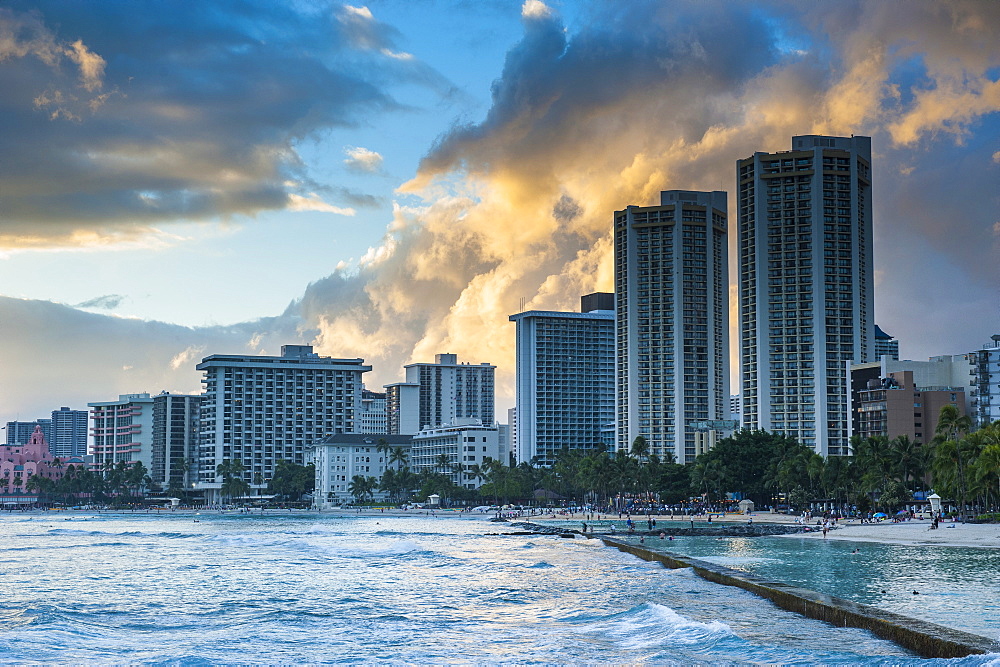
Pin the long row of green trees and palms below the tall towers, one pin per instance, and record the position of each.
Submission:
(960, 463)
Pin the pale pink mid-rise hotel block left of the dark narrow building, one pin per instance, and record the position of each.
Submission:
(122, 431)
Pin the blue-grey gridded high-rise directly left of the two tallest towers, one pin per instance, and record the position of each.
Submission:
(565, 379)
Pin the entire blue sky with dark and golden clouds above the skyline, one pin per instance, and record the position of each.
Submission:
(392, 180)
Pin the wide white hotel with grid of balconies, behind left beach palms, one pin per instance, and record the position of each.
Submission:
(258, 410)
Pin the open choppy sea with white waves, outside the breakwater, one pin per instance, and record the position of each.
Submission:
(230, 589)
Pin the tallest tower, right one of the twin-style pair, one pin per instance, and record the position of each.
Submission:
(806, 285)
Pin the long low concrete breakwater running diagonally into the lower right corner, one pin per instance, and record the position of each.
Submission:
(927, 639)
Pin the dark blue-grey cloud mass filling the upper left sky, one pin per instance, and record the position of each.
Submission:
(124, 113)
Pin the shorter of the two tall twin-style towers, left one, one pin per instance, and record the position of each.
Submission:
(672, 326)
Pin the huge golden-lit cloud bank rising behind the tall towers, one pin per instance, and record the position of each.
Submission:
(650, 97)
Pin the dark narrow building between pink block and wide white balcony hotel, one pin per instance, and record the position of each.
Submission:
(175, 440)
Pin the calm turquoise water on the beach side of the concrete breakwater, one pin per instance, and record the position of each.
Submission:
(955, 587)
